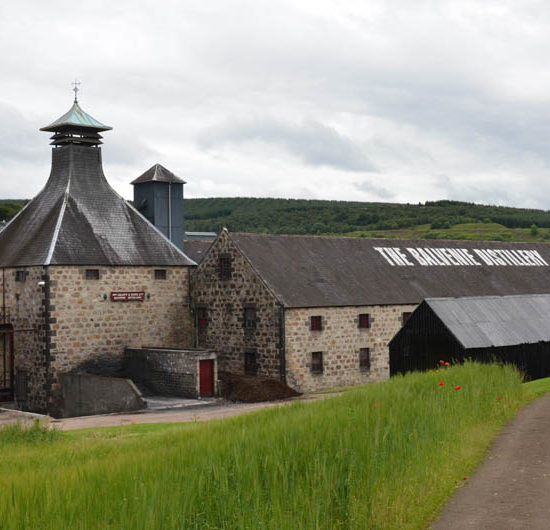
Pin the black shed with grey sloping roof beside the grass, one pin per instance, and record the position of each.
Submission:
(512, 329)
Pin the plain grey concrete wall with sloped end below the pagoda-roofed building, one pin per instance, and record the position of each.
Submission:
(85, 395)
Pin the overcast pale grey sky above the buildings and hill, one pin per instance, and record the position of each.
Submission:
(380, 100)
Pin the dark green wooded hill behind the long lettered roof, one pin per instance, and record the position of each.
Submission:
(289, 216)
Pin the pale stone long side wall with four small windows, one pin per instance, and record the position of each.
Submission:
(339, 341)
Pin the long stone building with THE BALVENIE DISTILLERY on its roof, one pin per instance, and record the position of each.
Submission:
(319, 312)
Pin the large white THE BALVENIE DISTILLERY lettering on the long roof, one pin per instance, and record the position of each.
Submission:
(477, 257)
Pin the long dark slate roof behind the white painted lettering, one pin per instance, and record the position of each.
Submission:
(310, 271)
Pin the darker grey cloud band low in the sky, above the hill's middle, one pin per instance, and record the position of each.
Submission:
(314, 143)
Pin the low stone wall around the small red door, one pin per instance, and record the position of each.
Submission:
(167, 372)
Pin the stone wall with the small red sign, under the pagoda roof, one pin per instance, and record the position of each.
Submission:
(89, 332)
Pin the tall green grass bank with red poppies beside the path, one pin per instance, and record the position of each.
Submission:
(386, 455)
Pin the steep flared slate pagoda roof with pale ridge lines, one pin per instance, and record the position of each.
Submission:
(78, 219)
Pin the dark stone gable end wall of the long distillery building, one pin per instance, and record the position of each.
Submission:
(225, 301)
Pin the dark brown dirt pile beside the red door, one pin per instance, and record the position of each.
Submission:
(251, 389)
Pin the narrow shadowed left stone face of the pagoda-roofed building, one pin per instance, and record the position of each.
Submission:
(26, 312)
